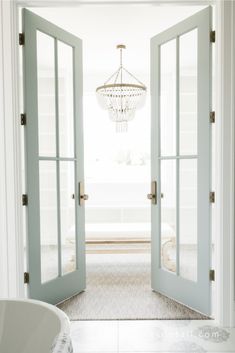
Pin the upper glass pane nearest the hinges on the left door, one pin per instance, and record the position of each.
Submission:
(46, 95)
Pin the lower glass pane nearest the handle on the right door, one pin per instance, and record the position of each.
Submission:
(168, 215)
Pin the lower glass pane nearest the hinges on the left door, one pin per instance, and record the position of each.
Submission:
(48, 220)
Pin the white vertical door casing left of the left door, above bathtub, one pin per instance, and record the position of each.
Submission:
(11, 267)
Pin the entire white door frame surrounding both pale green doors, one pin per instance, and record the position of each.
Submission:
(11, 226)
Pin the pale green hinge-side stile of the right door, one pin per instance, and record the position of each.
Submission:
(204, 154)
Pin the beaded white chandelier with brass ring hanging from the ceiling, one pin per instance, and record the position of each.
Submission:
(121, 95)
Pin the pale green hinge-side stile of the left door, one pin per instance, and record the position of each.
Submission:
(30, 83)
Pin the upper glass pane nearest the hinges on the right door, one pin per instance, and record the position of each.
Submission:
(188, 92)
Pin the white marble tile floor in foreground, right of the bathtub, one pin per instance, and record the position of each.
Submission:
(151, 336)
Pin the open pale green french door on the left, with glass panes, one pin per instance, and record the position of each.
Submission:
(54, 160)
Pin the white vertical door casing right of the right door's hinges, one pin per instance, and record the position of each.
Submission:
(224, 180)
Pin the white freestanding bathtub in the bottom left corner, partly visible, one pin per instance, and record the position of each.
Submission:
(31, 326)
